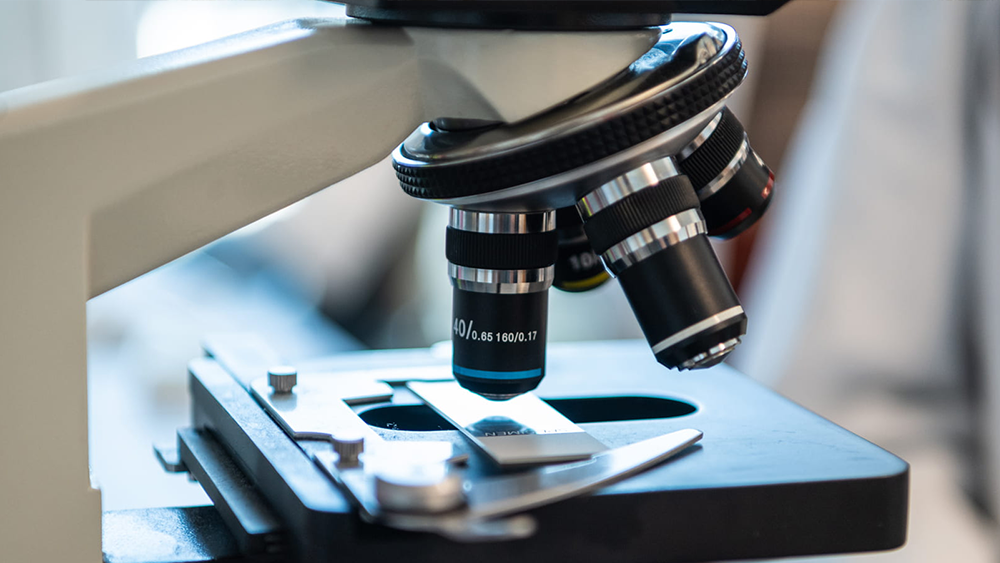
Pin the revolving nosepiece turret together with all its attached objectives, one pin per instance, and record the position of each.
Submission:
(653, 163)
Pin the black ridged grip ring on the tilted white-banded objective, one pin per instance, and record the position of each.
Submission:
(634, 213)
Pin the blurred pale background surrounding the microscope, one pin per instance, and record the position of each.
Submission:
(871, 285)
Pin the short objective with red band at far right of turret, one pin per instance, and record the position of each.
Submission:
(732, 182)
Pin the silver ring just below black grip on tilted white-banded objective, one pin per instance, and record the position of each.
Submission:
(640, 246)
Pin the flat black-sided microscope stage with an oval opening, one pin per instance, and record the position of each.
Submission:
(768, 479)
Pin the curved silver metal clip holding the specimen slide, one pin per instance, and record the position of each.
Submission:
(492, 503)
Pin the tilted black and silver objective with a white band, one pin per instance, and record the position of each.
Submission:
(648, 229)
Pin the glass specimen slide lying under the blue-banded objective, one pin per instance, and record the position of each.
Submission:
(521, 431)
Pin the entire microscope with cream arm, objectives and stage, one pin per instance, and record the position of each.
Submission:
(573, 142)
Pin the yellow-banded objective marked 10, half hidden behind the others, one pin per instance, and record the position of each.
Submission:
(577, 267)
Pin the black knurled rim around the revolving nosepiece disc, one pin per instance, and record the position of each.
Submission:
(561, 154)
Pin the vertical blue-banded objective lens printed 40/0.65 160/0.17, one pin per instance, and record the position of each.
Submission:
(501, 266)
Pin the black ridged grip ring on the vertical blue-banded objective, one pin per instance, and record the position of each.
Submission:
(501, 251)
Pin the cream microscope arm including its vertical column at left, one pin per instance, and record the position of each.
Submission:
(105, 178)
